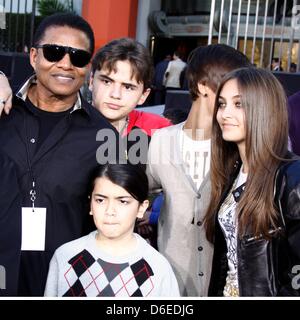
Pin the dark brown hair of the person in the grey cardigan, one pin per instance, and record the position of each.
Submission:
(208, 65)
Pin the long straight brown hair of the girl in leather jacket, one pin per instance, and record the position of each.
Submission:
(266, 125)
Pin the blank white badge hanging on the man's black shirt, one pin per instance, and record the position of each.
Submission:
(33, 229)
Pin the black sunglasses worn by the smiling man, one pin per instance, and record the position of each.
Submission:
(54, 53)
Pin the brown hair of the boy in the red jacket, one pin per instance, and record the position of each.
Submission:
(126, 49)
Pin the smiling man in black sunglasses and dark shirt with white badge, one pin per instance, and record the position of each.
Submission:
(51, 137)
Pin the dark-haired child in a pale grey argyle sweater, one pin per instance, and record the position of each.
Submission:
(112, 261)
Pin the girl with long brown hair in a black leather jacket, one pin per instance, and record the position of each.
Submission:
(254, 215)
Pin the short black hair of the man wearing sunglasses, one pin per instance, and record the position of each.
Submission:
(64, 20)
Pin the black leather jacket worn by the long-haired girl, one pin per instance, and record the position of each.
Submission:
(265, 267)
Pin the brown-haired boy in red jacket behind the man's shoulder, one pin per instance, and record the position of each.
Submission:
(121, 78)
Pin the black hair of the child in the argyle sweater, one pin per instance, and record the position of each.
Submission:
(128, 176)
